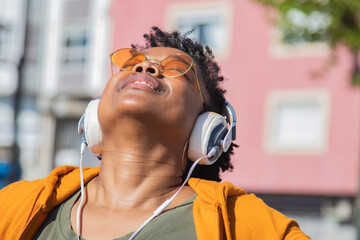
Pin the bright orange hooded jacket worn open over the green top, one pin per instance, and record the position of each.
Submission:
(221, 210)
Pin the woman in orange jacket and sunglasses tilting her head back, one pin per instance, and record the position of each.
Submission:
(147, 114)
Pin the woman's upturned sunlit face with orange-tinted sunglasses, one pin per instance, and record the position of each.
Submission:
(167, 103)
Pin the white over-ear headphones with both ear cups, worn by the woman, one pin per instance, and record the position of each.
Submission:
(211, 131)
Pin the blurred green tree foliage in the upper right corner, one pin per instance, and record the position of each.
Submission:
(334, 21)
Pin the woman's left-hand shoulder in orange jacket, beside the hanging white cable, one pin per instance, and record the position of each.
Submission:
(25, 203)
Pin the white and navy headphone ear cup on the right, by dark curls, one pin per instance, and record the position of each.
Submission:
(209, 125)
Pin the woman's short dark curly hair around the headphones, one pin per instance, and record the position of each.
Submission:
(210, 72)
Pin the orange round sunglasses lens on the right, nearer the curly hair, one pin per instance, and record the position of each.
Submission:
(176, 65)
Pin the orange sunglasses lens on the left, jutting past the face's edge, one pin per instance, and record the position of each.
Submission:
(127, 58)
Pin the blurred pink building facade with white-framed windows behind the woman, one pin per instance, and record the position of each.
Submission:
(298, 131)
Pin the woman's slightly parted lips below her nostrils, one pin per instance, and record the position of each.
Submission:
(141, 81)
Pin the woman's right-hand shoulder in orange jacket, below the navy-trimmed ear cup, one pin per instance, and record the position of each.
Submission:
(243, 214)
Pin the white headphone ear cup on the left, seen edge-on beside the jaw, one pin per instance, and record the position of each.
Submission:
(92, 129)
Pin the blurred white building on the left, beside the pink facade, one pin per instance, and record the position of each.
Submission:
(66, 51)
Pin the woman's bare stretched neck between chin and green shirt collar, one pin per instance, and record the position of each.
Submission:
(141, 177)
